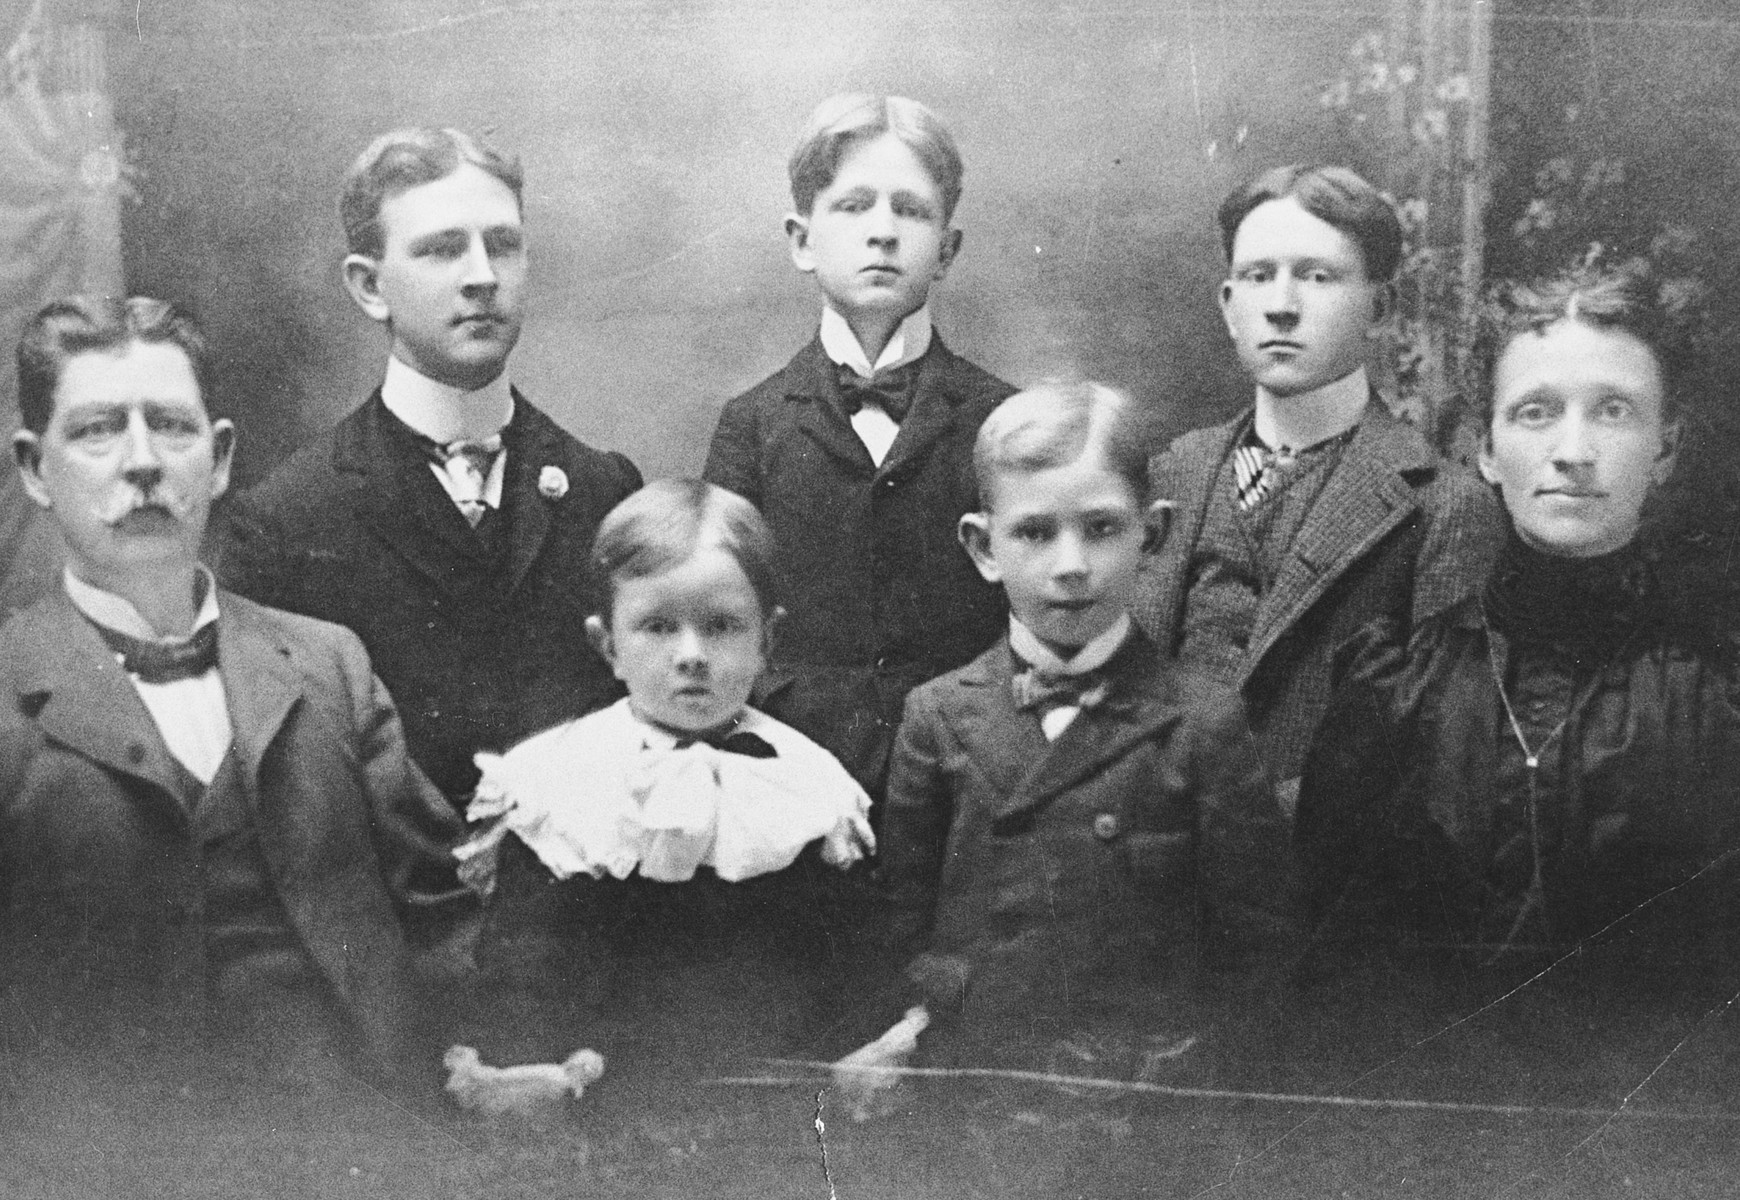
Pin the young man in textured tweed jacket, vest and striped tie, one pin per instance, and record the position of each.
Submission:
(1313, 512)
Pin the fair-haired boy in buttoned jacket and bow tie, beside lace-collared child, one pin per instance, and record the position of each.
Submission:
(1071, 817)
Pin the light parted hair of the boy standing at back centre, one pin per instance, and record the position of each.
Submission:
(850, 119)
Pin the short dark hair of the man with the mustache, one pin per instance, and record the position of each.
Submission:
(93, 324)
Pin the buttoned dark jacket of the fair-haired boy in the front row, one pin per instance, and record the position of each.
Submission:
(1050, 879)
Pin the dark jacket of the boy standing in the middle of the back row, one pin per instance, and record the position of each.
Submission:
(878, 590)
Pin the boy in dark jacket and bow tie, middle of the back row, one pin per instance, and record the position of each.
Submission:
(859, 453)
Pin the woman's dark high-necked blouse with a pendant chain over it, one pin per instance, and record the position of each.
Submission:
(1415, 811)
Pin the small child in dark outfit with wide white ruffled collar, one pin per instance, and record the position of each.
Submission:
(678, 818)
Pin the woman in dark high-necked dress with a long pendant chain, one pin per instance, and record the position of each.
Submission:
(1556, 763)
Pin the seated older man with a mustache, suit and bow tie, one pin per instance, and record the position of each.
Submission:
(211, 836)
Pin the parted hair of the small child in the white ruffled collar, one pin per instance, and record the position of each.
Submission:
(666, 524)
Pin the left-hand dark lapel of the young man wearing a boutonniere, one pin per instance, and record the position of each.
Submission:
(408, 510)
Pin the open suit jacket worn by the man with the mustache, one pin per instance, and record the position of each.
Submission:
(98, 874)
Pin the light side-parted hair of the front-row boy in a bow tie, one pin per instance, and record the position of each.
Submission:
(1054, 425)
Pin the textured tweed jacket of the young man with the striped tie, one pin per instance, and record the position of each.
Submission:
(1396, 533)
